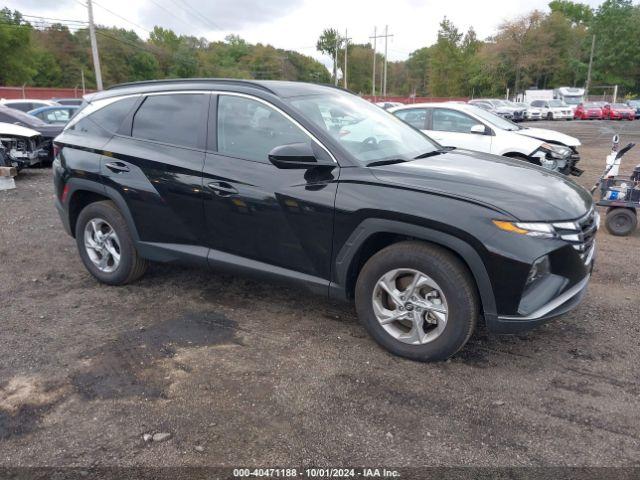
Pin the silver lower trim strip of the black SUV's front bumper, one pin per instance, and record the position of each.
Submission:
(560, 305)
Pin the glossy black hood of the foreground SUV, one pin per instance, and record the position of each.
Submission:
(522, 190)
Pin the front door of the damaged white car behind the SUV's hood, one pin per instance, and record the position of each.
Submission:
(452, 128)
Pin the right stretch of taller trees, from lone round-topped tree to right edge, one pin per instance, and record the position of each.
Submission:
(537, 50)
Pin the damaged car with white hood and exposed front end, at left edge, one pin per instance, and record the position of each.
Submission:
(20, 147)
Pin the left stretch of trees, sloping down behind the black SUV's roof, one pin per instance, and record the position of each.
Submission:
(55, 55)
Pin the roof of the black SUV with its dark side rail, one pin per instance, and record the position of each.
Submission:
(279, 88)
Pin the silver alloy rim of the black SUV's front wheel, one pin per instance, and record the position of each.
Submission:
(410, 306)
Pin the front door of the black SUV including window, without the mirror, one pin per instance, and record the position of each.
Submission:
(257, 214)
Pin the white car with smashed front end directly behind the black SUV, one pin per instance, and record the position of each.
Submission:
(473, 128)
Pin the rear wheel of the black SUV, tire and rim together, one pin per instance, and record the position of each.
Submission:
(106, 246)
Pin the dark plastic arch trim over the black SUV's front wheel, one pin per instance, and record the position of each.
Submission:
(370, 226)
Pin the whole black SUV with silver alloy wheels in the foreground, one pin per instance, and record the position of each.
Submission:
(315, 185)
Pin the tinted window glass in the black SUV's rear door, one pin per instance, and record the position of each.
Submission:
(177, 119)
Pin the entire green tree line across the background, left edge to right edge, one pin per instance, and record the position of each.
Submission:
(542, 50)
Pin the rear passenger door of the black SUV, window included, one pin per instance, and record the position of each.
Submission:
(155, 163)
